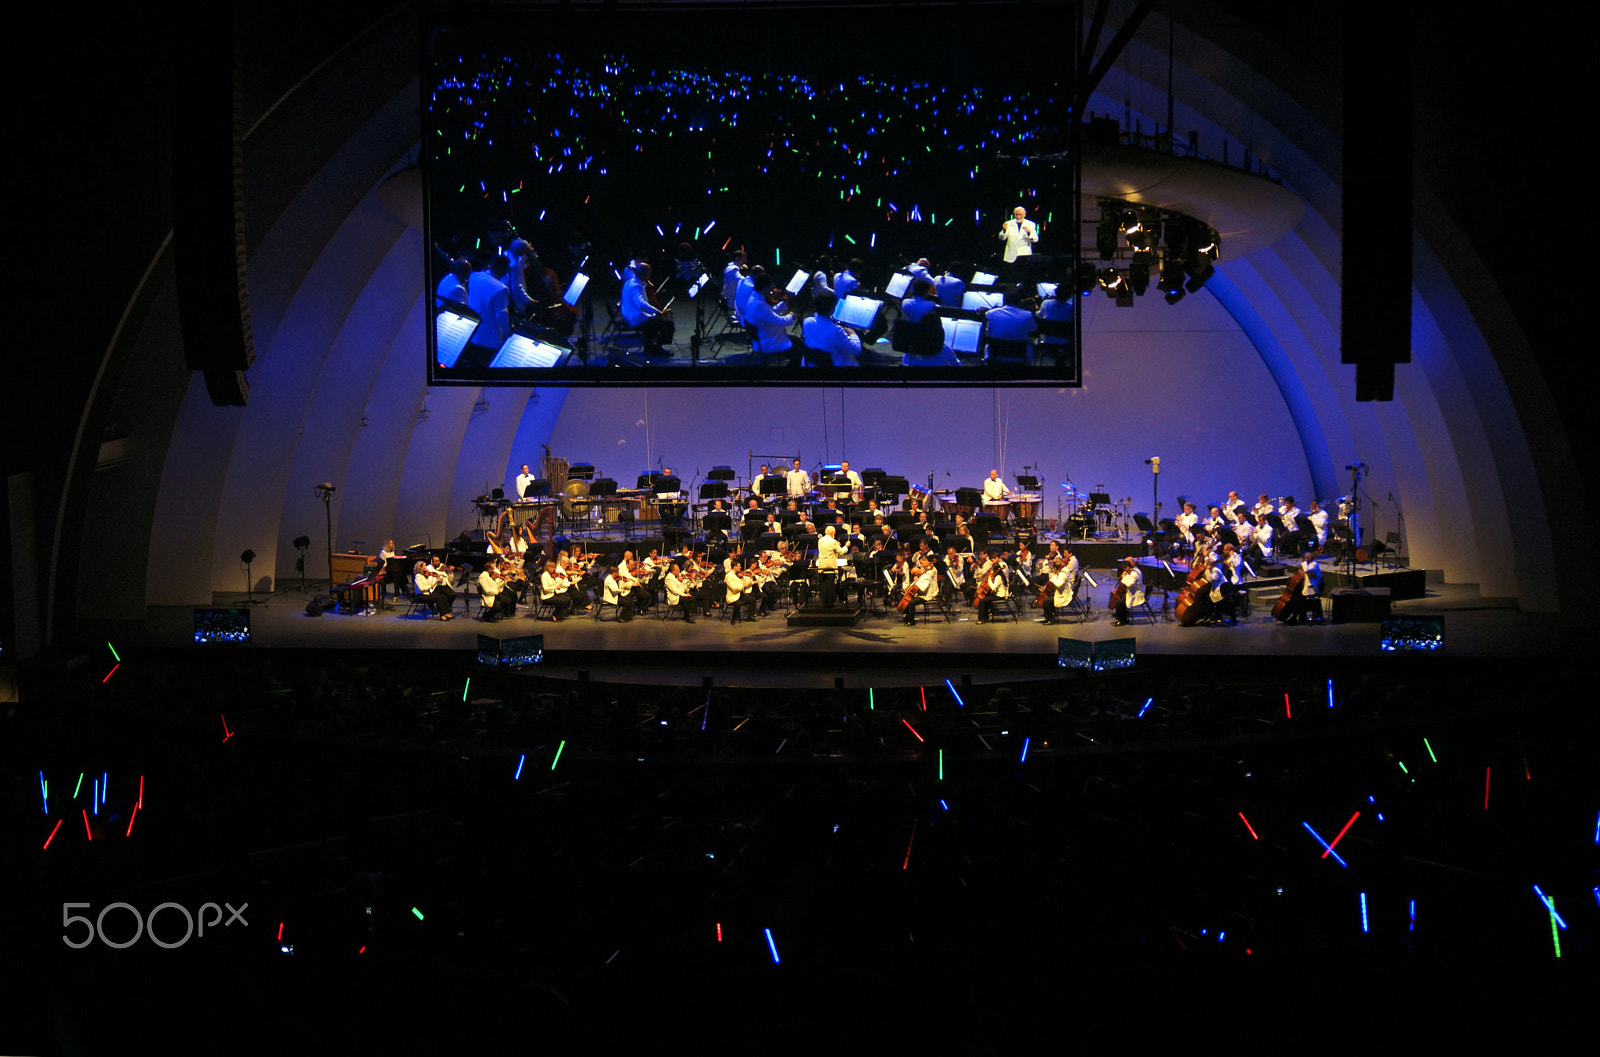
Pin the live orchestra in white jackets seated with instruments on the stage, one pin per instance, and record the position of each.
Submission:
(831, 536)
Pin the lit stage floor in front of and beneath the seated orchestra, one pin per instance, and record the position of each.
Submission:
(767, 652)
